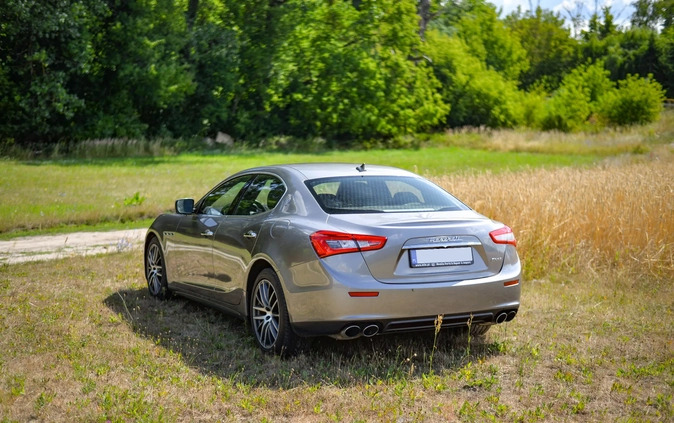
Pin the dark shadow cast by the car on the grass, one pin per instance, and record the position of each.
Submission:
(220, 345)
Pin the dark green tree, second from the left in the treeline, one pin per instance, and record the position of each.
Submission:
(140, 78)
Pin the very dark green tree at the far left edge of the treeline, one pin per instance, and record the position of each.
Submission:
(45, 49)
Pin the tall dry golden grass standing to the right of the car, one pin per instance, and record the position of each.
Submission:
(614, 215)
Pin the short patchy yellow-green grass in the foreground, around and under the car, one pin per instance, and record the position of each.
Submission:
(92, 345)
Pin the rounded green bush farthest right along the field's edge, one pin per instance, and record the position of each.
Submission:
(636, 101)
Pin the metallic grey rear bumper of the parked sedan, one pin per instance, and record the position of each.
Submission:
(328, 309)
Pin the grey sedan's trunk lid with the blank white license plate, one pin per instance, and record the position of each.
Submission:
(426, 247)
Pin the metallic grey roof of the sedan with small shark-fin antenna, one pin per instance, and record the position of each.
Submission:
(326, 170)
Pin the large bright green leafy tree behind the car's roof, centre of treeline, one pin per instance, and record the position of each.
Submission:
(347, 72)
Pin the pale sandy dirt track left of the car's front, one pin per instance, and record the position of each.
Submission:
(49, 247)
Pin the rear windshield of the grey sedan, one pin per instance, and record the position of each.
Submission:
(381, 194)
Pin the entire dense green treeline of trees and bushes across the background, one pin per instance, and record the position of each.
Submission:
(344, 70)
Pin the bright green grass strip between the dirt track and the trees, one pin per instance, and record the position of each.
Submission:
(70, 193)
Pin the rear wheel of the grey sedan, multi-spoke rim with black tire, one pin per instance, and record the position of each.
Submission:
(268, 316)
